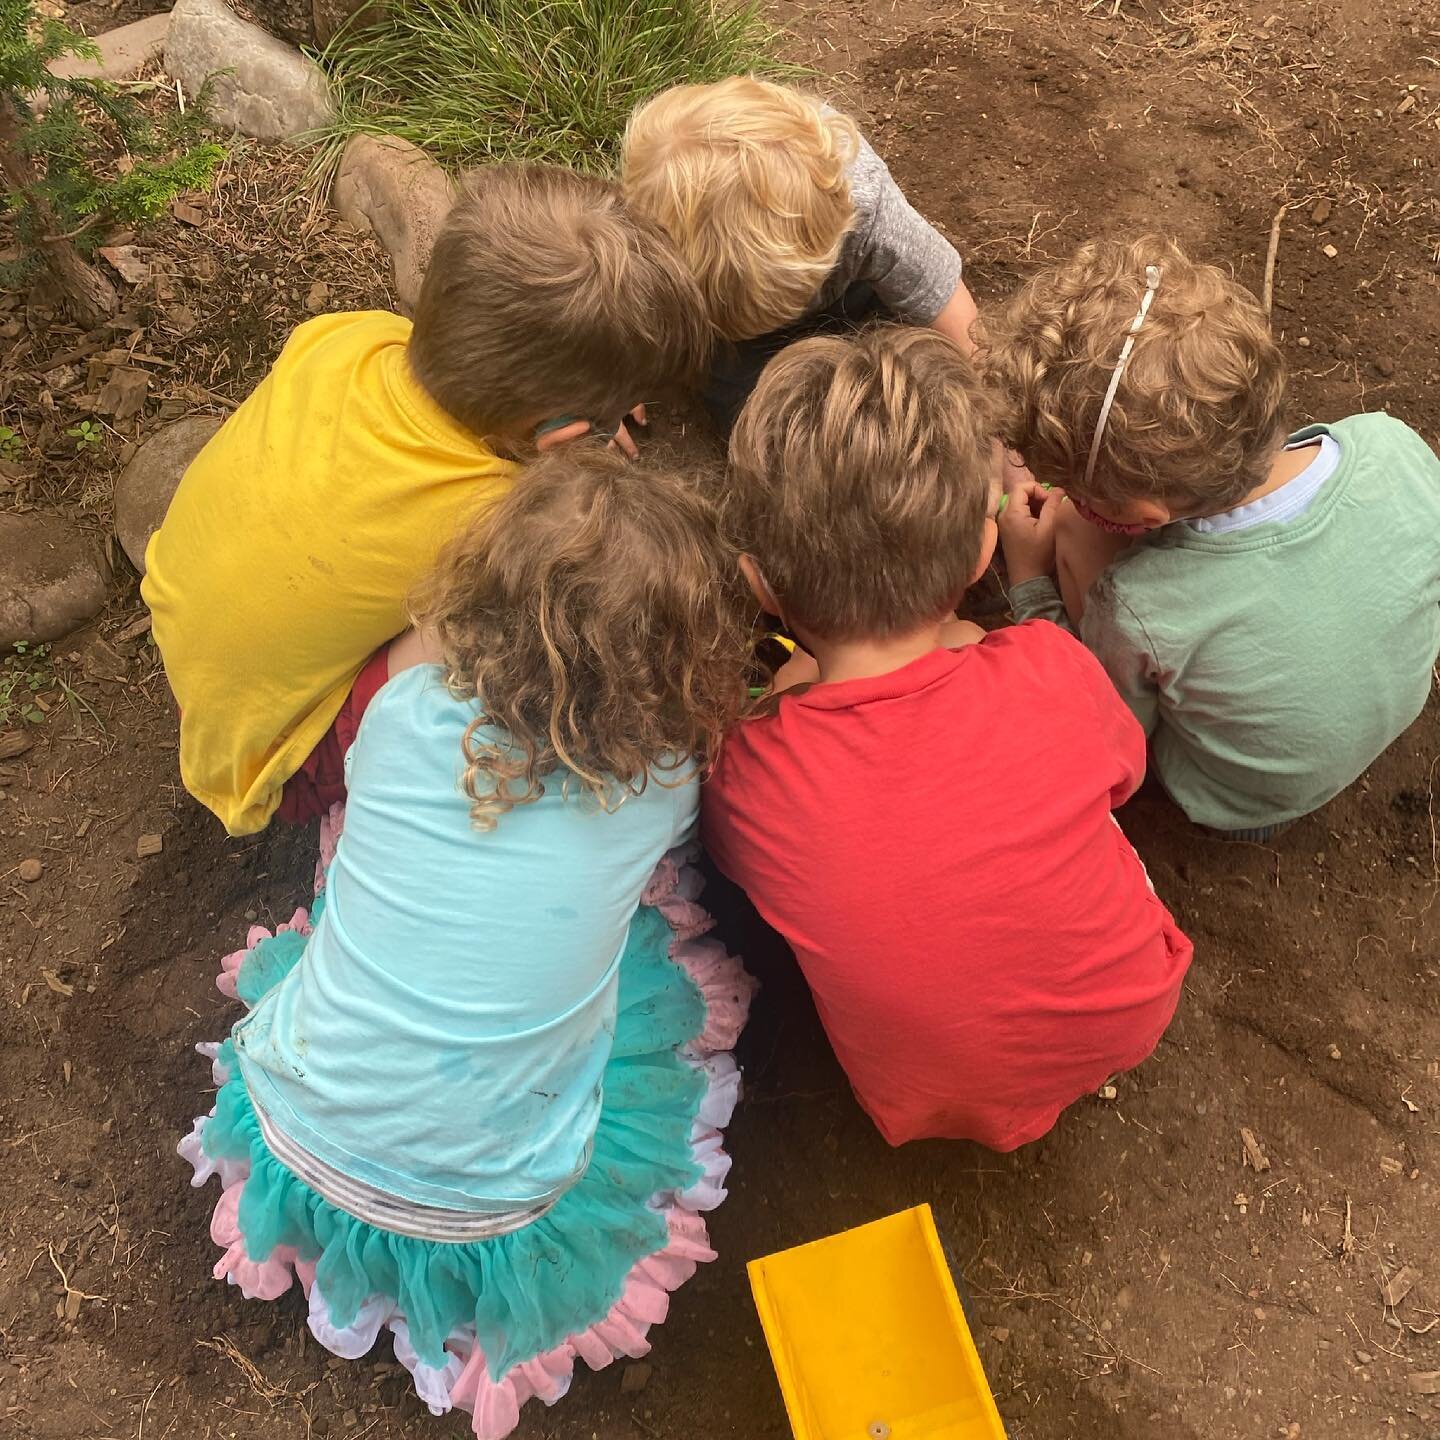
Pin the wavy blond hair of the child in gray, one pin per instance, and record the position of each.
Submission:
(752, 184)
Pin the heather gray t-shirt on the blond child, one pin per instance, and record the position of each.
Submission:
(912, 269)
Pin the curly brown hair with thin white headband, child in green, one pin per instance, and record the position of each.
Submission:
(1200, 405)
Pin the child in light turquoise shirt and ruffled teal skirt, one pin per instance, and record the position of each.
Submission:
(477, 1095)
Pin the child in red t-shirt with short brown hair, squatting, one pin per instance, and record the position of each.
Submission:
(928, 823)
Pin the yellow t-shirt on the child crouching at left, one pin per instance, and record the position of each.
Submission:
(290, 548)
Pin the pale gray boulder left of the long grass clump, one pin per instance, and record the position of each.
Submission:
(271, 91)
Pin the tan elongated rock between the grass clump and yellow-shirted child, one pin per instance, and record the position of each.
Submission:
(390, 186)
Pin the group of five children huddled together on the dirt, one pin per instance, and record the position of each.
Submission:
(408, 588)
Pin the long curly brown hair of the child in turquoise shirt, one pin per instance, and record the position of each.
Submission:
(597, 616)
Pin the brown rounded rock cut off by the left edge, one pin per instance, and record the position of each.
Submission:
(53, 580)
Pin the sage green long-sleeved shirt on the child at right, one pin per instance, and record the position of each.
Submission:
(1271, 666)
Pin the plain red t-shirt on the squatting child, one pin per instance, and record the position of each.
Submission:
(937, 847)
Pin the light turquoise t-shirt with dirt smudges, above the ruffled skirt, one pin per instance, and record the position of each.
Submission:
(444, 1036)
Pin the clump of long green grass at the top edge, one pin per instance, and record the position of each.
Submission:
(476, 81)
